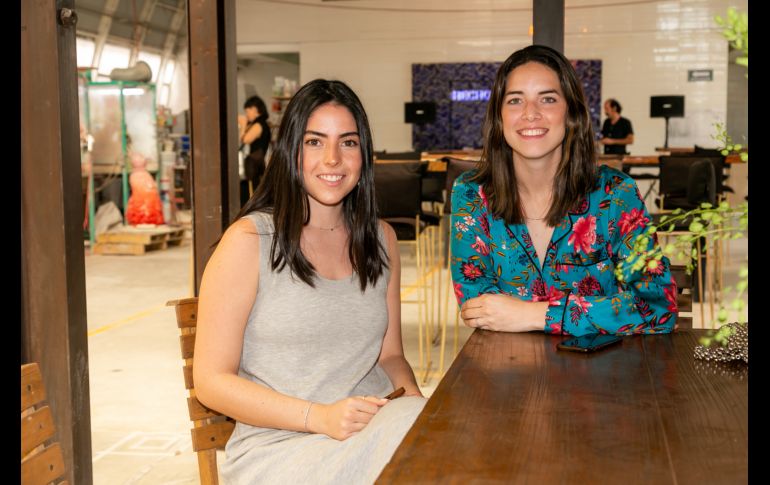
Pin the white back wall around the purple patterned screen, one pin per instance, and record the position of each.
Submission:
(646, 50)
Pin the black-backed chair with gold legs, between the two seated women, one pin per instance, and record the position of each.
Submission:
(399, 202)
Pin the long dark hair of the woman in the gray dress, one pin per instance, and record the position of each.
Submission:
(282, 192)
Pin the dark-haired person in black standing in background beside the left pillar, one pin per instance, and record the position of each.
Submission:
(254, 131)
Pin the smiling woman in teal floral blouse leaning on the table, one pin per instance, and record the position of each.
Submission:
(538, 228)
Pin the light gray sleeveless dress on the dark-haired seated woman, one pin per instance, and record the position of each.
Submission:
(320, 344)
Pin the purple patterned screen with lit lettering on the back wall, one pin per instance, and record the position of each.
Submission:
(461, 91)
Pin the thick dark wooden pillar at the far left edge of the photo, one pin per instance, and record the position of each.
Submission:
(53, 292)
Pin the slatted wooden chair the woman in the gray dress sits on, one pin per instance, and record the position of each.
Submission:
(211, 429)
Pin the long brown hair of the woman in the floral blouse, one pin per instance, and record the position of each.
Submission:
(576, 173)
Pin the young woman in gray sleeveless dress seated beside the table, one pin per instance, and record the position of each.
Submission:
(299, 323)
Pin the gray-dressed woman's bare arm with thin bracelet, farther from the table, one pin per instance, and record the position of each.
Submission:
(223, 310)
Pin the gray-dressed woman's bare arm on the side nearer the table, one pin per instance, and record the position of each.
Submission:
(392, 358)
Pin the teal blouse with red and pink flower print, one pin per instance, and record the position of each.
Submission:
(577, 277)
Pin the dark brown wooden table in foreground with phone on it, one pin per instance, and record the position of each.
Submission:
(513, 409)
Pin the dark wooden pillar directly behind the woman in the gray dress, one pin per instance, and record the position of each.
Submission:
(214, 131)
